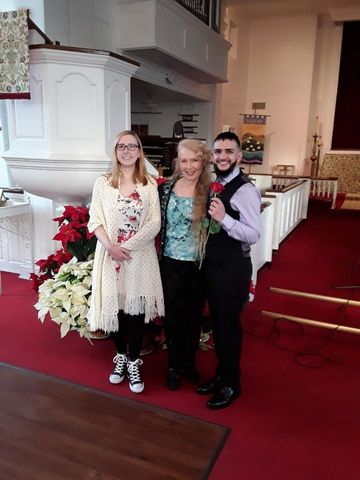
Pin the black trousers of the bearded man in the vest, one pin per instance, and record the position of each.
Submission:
(228, 291)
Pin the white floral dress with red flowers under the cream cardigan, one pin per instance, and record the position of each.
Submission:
(129, 209)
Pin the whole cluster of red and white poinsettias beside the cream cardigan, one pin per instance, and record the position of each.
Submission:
(64, 279)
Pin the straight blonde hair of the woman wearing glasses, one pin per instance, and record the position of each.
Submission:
(140, 174)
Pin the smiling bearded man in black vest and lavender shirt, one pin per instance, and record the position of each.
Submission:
(228, 266)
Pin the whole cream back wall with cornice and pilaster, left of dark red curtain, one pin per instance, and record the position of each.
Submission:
(291, 62)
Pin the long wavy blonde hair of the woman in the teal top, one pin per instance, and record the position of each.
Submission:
(204, 154)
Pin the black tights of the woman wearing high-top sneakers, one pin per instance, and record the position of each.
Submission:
(128, 339)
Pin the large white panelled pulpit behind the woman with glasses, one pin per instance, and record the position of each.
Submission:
(62, 139)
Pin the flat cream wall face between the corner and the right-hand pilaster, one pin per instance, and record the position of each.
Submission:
(280, 74)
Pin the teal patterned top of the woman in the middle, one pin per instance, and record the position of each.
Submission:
(180, 243)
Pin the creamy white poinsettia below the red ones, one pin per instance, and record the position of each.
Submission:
(66, 297)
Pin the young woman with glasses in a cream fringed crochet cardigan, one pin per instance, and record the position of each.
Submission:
(126, 288)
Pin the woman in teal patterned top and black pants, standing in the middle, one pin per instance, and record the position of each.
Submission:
(183, 201)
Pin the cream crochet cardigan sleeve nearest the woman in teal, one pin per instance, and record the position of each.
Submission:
(150, 228)
